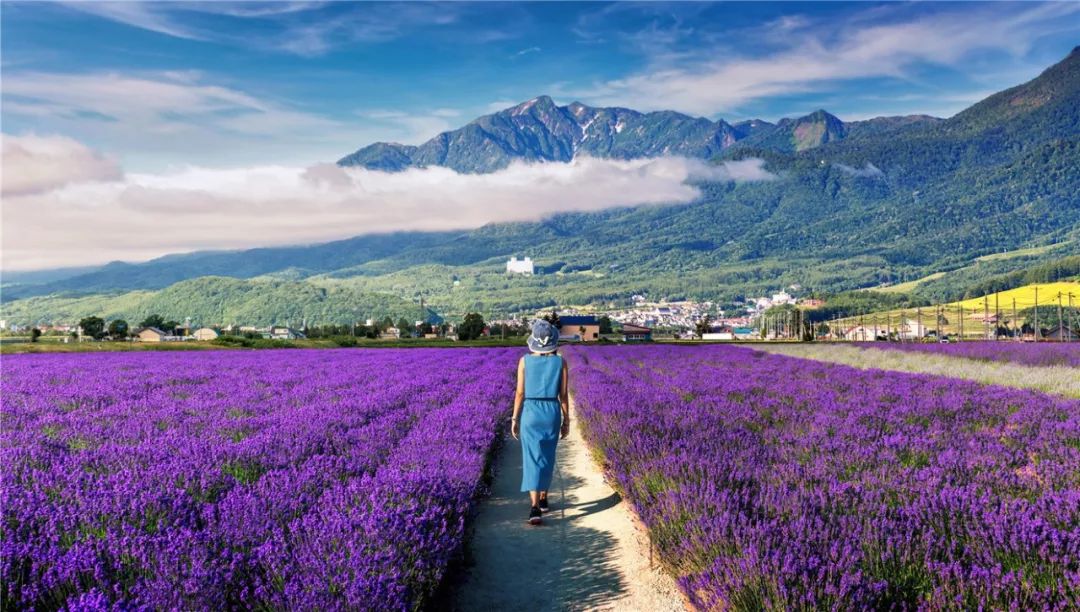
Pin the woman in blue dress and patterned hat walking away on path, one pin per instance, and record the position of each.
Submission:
(542, 413)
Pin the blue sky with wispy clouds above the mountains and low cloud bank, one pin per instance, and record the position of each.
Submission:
(228, 85)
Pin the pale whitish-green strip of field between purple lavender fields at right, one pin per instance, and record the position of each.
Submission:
(1059, 380)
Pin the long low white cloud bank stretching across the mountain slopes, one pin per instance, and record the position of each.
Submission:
(98, 214)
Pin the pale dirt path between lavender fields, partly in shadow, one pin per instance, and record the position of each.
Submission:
(588, 555)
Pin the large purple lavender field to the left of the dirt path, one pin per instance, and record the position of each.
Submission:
(296, 480)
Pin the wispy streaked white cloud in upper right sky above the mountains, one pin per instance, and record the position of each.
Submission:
(812, 60)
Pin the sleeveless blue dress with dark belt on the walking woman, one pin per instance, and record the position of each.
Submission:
(541, 420)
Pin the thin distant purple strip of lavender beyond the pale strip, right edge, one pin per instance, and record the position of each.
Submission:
(1030, 355)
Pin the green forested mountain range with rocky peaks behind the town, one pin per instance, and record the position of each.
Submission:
(857, 205)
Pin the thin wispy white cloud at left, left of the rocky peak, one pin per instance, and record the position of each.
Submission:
(158, 118)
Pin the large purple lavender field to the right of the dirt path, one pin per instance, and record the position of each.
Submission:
(769, 482)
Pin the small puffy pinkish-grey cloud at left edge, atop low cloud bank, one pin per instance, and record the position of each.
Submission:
(35, 165)
